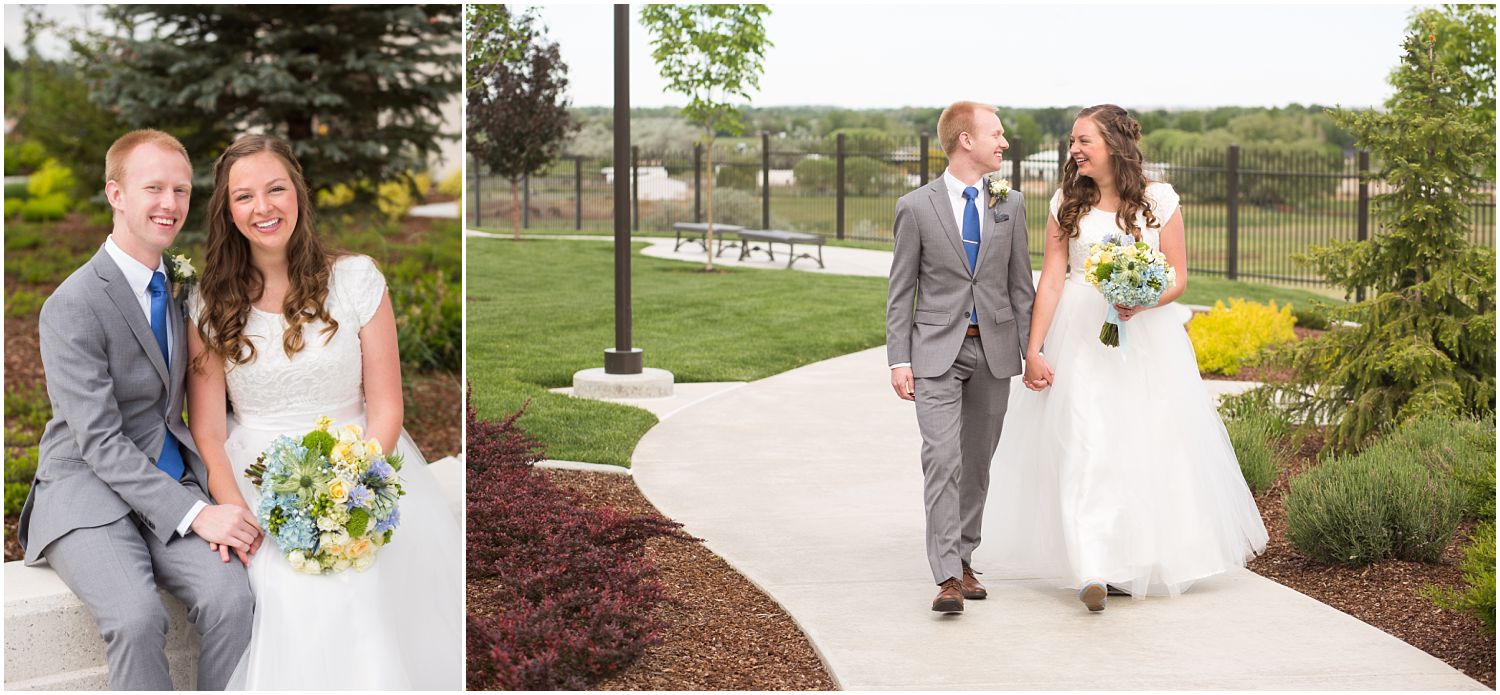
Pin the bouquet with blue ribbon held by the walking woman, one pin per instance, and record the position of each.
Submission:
(1129, 274)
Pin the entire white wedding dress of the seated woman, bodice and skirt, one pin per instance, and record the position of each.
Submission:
(400, 624)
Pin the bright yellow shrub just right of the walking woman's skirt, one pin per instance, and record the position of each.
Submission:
(1228, 337)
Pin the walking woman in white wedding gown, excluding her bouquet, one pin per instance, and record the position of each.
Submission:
(1118, 474)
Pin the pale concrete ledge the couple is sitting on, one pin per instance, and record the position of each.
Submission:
(53, 643)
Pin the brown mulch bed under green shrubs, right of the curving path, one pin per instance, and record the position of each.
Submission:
(1385, 595)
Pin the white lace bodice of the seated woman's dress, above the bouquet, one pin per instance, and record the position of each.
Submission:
(322, 378)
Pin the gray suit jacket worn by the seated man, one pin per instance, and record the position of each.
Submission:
(113, 402)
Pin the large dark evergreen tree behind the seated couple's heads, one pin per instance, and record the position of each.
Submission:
(356, 89)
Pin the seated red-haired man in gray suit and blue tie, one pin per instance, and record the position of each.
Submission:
(119, 504)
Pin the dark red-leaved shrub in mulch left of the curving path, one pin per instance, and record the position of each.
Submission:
(575, 591)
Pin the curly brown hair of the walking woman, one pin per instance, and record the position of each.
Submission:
(1081, 194)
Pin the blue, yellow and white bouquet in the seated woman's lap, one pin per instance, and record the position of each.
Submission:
(329, 501)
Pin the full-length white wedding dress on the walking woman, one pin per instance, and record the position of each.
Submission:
(1121, 471)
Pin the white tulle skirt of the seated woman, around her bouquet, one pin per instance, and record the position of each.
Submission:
(395, 627)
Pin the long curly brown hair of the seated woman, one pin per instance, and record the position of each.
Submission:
(232, 284)
